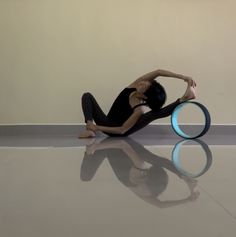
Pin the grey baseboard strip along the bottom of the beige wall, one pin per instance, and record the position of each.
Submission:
(75, 129)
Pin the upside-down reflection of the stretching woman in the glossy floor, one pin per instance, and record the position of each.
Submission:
(137, 168)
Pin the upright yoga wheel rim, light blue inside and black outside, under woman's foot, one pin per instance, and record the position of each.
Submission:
(204, 127)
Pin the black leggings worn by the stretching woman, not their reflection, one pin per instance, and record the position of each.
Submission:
(92, 111)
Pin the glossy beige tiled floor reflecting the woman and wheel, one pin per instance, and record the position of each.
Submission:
(117, 187)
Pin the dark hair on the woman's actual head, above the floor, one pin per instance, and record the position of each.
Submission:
(156, 96)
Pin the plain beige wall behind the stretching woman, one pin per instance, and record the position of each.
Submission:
(51, 51)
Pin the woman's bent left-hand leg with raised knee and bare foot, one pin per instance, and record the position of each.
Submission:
(92, 112)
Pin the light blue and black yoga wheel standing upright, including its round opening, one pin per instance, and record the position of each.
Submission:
(190, 109)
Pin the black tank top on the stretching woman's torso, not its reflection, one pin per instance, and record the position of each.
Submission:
(121, 110)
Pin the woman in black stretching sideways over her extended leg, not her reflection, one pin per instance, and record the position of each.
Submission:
(127, 114)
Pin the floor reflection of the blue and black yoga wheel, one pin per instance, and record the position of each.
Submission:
(178, 162)
